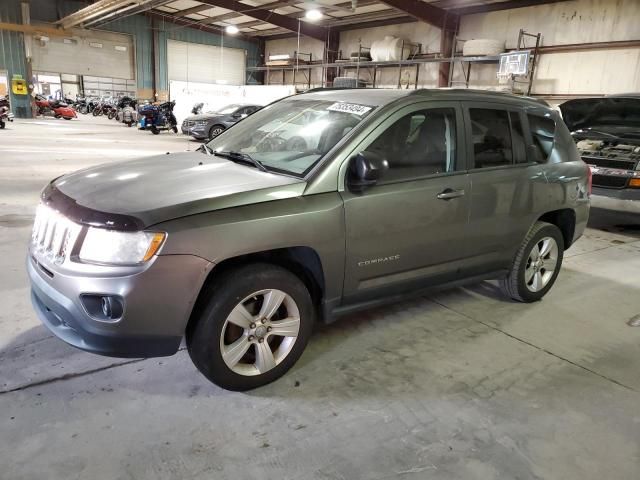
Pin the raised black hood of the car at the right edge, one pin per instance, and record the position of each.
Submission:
(602, 112)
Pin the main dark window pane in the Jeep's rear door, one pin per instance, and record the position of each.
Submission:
(492, 145)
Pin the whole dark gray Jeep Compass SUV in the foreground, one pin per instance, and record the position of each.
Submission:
(279, 222)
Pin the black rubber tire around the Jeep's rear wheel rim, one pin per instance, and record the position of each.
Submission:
(514, 284)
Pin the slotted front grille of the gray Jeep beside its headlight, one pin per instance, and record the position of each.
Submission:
(52, 234)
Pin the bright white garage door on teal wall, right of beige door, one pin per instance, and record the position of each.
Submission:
(191, 62)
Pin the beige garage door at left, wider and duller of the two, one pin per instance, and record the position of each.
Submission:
(101, 54)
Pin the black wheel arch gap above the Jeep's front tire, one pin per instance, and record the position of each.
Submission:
(303, 262)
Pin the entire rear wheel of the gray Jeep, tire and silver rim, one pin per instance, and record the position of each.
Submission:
(537, 264)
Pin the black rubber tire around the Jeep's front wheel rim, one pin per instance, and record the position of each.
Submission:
(220, 298)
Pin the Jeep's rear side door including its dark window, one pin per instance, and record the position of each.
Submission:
(507, 186)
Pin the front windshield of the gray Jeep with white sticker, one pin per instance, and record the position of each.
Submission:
(291, 136)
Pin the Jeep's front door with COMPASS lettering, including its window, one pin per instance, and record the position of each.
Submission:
(409, 229)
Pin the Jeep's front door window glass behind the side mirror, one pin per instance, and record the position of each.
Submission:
(419, 144)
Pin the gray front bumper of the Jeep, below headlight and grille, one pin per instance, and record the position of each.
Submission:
(158, 302)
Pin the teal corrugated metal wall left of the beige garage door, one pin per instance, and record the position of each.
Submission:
(12, 58)
